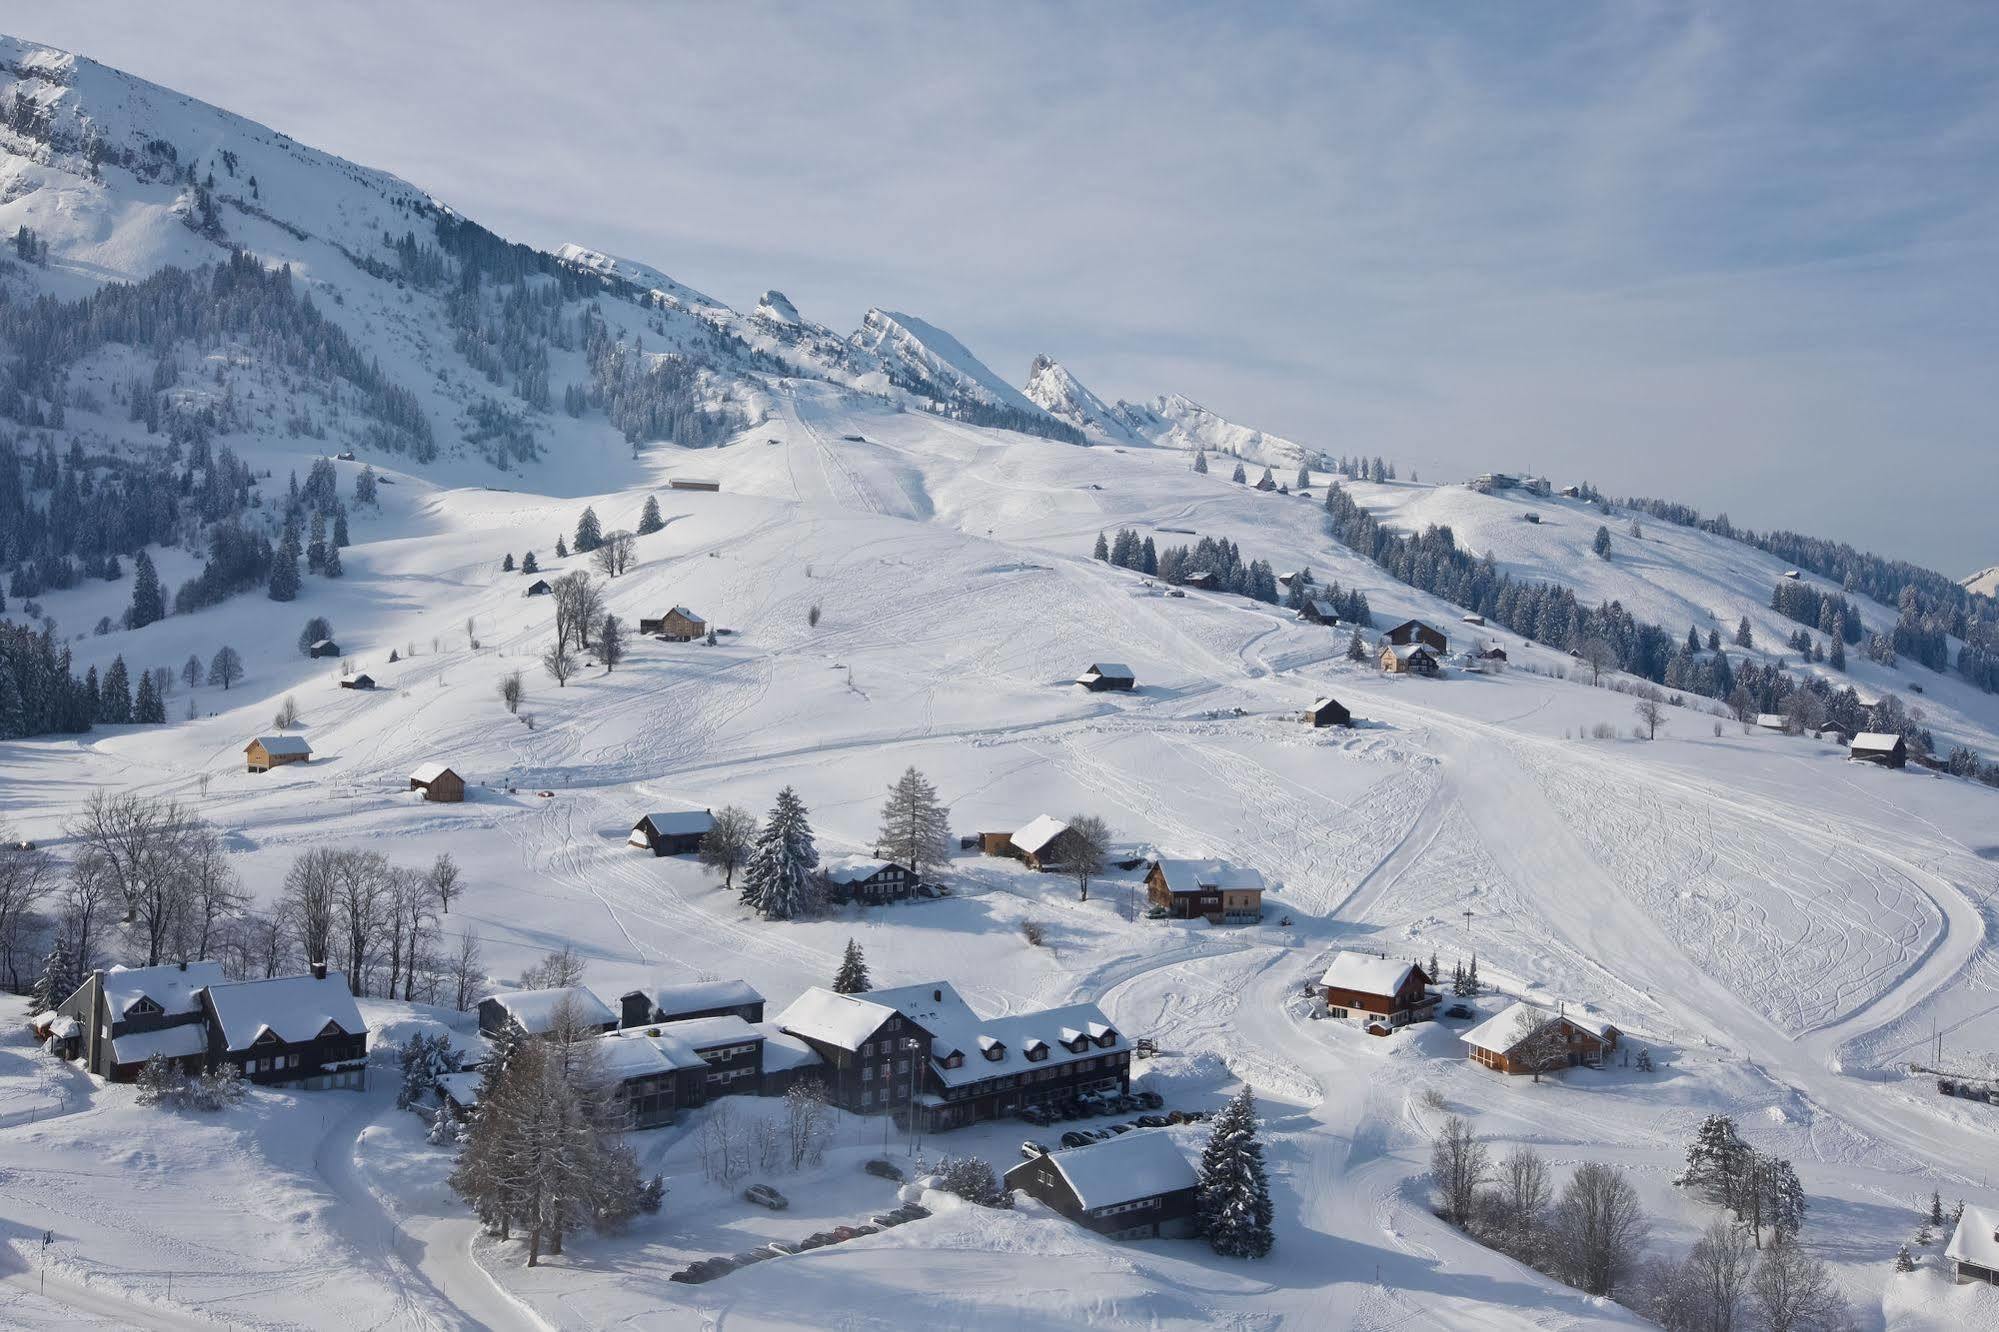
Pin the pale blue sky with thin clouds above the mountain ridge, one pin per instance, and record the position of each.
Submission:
(1738, 255)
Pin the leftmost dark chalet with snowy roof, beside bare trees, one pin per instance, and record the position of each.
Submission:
(127, 1015)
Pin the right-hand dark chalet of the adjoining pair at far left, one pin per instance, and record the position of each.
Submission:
(303, 1031)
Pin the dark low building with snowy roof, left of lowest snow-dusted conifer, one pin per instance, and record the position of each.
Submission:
(1134, 1187)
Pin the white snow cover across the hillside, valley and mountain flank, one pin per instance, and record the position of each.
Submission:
(1780, 929)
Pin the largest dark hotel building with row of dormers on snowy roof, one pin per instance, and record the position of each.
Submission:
(921, 1053)
